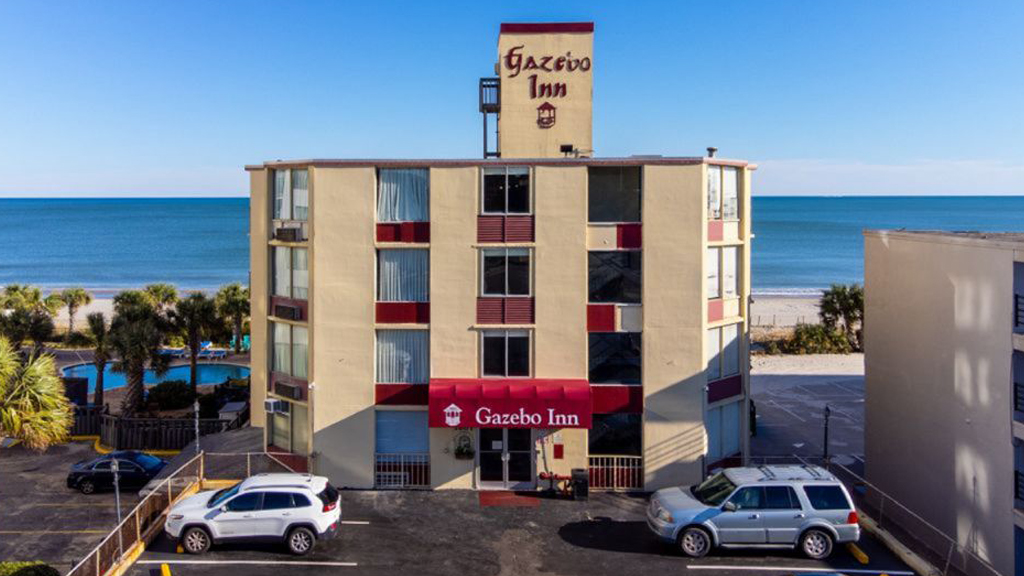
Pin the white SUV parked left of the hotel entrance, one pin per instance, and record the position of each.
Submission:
(291, 508)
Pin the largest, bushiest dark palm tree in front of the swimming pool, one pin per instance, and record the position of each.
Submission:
(137, 335)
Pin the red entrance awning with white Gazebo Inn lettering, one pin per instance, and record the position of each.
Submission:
(507, 403)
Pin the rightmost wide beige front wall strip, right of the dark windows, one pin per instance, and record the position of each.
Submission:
(674, 318)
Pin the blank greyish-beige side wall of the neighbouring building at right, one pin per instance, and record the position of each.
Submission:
(938, 410)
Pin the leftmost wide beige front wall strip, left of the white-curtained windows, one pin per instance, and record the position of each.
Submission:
(343, 336)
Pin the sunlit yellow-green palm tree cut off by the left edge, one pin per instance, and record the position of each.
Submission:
(33, 406)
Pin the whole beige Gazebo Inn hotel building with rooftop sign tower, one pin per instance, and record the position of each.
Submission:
(476, 323)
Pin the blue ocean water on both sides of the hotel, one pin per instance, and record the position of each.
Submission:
(802, 244)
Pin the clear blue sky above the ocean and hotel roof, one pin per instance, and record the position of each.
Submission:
(174, 99)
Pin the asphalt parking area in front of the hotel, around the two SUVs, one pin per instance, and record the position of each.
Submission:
(451, 533)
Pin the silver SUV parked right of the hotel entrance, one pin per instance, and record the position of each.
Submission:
(767, 507)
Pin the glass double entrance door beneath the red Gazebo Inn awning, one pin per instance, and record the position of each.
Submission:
(506, 459)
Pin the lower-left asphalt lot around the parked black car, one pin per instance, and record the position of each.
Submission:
(40, 518)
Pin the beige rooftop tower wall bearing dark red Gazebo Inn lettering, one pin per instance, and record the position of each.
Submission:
(520, 136)
